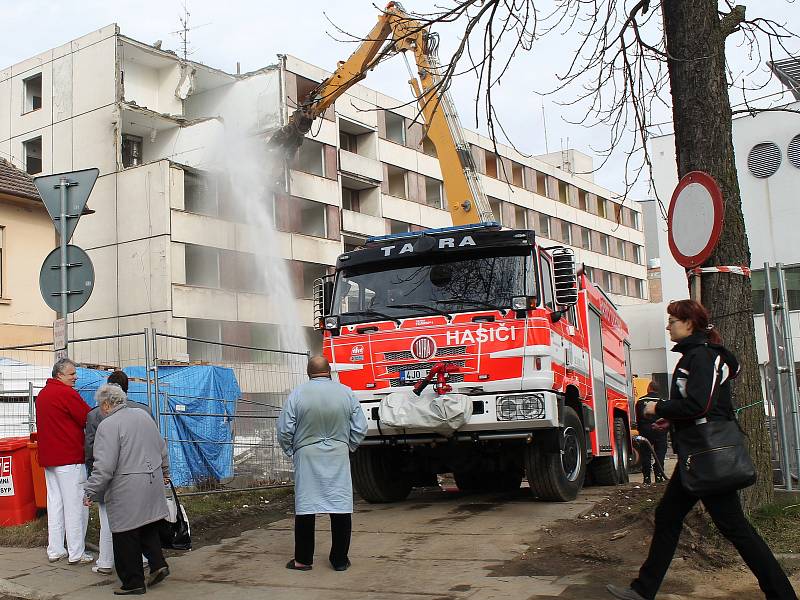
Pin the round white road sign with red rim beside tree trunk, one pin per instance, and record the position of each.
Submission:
(695, 219)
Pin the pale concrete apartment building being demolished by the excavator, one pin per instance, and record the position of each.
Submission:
(174, 240)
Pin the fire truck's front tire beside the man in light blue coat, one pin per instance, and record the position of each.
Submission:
(375, 479)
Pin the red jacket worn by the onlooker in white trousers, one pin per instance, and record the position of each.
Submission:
(60, 419)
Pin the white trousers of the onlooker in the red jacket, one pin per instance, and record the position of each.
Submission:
(66, 514)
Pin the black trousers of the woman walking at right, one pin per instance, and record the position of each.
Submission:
(726, 512)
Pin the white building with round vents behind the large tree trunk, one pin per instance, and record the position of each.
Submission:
(767, 147)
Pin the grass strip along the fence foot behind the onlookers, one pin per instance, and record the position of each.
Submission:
(203, 511)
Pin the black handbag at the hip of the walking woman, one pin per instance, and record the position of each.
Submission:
(713, 458)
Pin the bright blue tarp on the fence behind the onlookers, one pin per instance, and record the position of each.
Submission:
(200, 446)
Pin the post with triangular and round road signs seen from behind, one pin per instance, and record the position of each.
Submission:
(65, 209)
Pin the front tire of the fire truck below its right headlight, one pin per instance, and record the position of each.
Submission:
(558, 476)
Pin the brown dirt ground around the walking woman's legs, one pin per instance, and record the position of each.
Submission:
(609, 542)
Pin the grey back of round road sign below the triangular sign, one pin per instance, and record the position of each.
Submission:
(80, 278)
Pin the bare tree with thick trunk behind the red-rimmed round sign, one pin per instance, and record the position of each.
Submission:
(627, 55)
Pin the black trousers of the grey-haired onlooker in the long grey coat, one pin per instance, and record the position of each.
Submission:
(128, 549)
